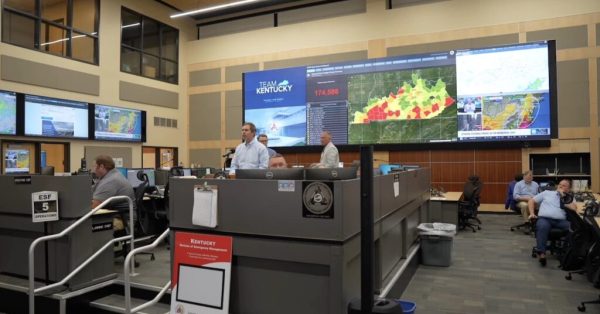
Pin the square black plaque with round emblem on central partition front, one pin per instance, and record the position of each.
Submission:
(317, 199)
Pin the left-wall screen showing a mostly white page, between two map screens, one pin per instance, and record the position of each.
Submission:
(52, 117)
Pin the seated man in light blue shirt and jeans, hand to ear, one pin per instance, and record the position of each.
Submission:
(551, 215)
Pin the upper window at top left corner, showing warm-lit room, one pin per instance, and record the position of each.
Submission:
(67, 28)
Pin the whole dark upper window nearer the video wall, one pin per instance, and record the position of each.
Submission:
(148, 47)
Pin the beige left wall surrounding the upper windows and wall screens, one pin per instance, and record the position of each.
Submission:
(110, 76)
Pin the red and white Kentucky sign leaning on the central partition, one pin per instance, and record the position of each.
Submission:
(201, 273)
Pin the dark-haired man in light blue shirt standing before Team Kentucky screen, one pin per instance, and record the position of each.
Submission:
(250, 154)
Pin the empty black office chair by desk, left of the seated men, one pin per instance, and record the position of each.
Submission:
(469, 204)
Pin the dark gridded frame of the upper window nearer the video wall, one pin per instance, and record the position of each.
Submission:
(161, 28)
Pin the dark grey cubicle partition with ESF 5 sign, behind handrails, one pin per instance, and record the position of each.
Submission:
(54, 259)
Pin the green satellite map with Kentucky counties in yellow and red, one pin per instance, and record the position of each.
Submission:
(417, 105)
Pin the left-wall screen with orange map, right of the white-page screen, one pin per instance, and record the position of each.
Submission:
(118, 124)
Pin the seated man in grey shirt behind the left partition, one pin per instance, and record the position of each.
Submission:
(110, 183)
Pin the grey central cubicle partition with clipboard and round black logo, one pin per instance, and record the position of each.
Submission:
(287, 261)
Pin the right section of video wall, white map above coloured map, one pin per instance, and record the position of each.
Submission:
(510, 87)
